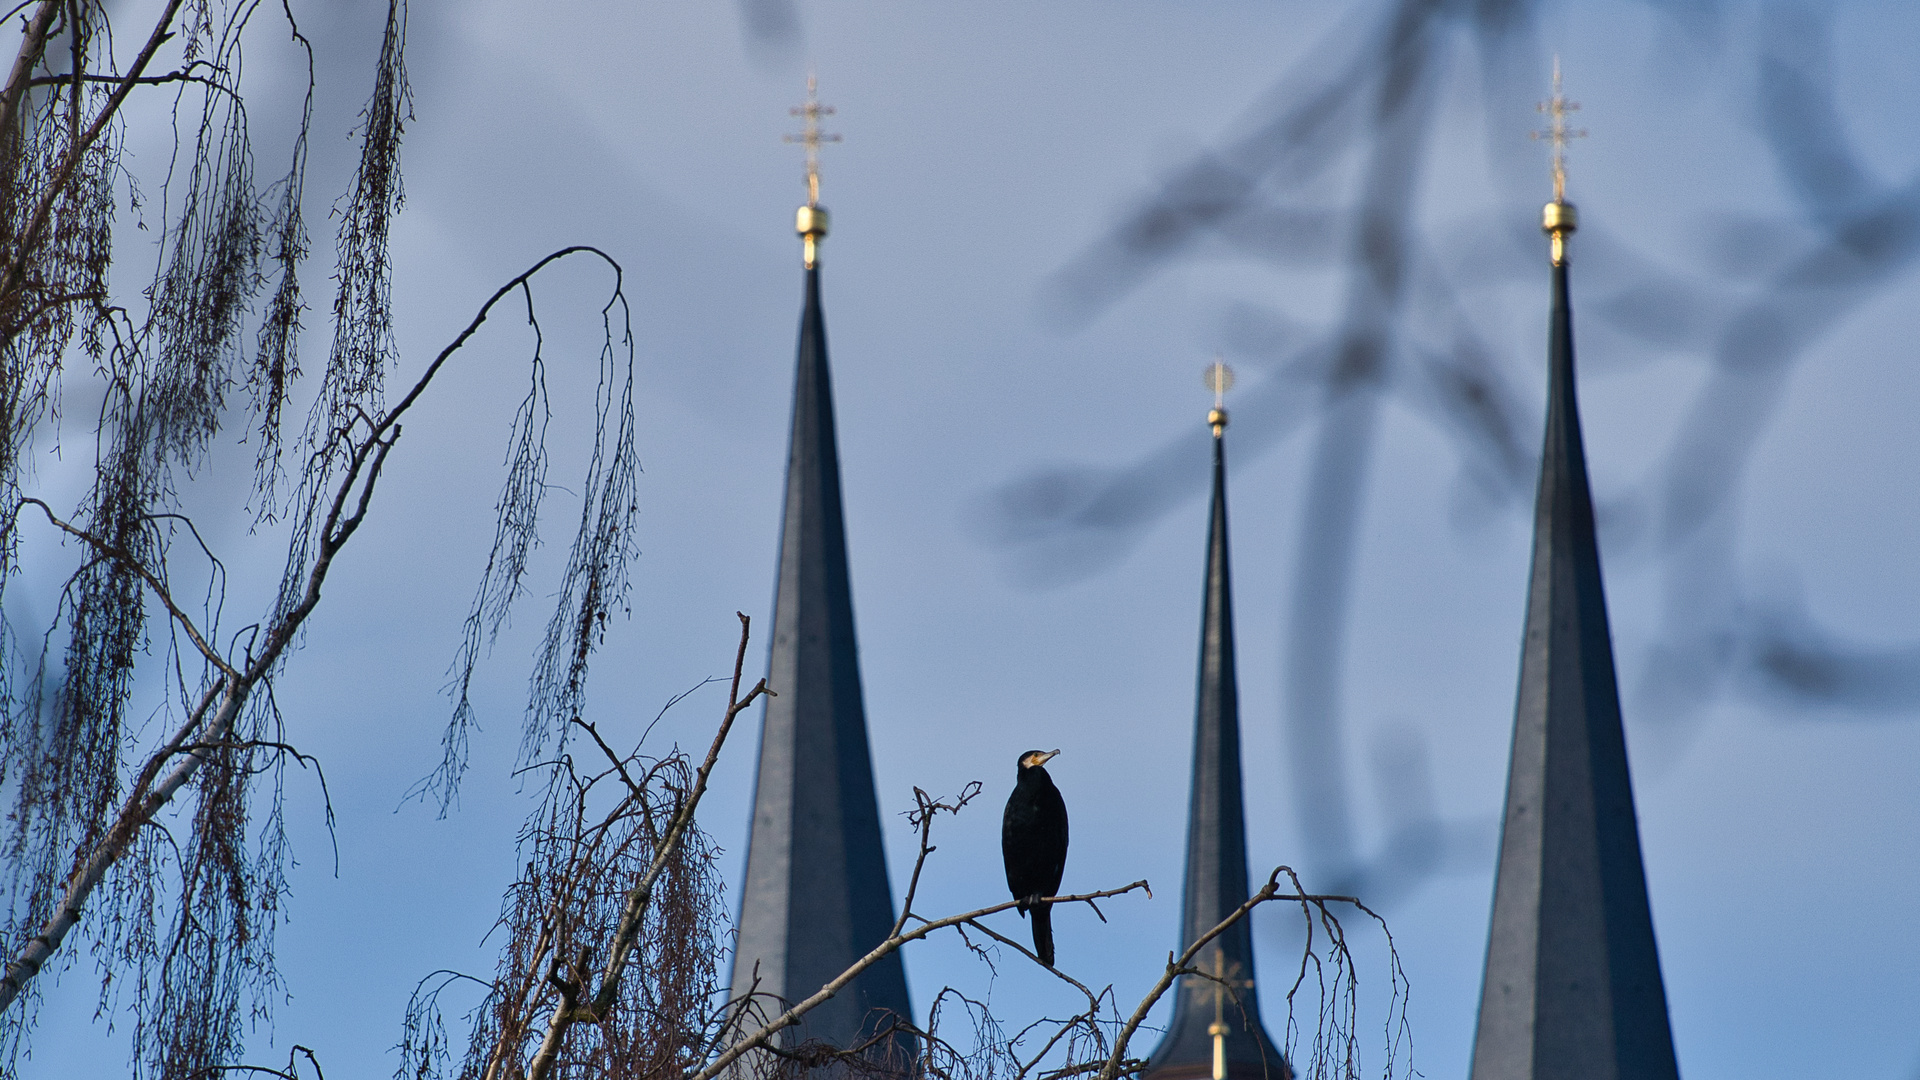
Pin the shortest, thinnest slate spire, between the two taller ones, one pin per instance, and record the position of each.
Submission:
(1216, 1029)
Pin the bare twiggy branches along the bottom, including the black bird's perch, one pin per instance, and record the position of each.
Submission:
(610, 964)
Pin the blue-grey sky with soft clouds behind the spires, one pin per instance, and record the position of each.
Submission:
(988, 147)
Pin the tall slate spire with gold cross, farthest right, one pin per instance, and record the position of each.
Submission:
(1573, 979)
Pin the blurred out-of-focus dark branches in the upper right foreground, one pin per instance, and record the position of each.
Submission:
(1324, 178)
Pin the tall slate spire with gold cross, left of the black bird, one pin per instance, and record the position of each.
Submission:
(817, 895)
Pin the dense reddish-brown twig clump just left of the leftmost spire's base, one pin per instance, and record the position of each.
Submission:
(612, 933)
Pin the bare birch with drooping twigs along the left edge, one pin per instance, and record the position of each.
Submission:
(155, 848)
